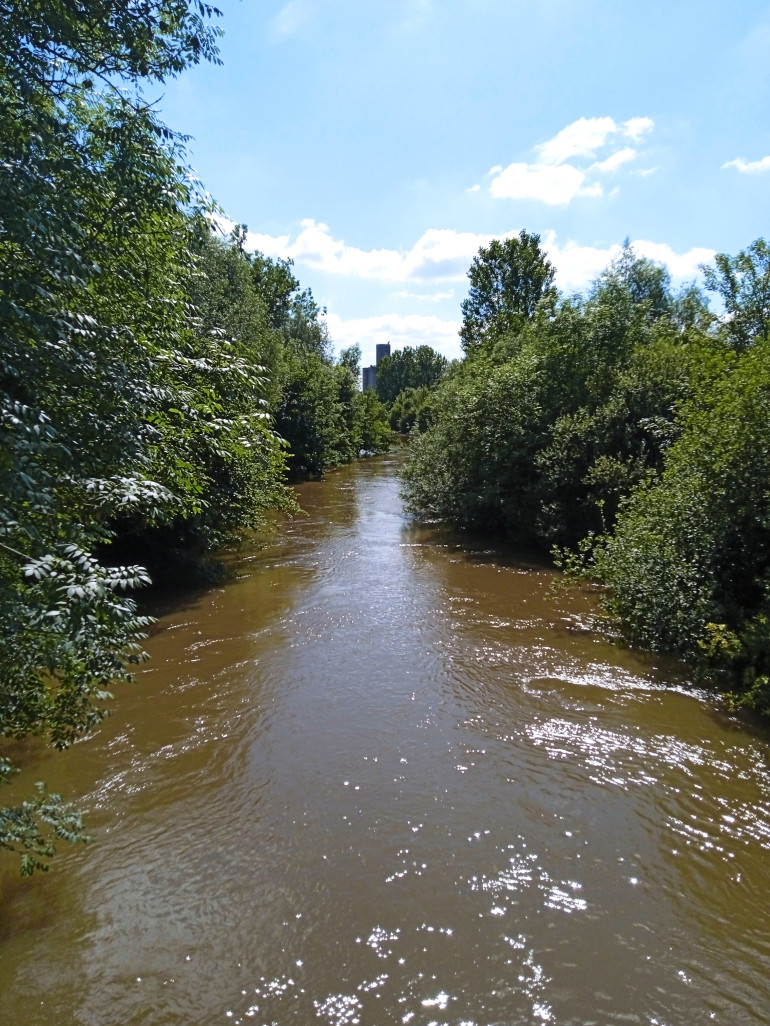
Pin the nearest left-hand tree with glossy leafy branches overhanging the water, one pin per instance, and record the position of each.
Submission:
(101, 365)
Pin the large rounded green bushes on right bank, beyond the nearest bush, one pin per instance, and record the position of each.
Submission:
(545, 425)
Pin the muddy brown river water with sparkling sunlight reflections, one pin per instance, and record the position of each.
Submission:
(381, 778)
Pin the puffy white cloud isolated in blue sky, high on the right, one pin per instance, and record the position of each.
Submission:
(558, 178)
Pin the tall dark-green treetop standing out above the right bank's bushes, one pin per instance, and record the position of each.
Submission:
(509, 280)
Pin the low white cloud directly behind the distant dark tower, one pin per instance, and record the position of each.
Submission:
(399, 330)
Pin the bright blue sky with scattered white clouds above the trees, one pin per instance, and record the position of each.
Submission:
(380, 144)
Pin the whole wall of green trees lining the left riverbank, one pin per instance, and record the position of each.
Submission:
(158, 384)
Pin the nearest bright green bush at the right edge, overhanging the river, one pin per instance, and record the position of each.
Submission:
(688, 566)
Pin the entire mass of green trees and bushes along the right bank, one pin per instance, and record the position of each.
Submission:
(629, 429)
